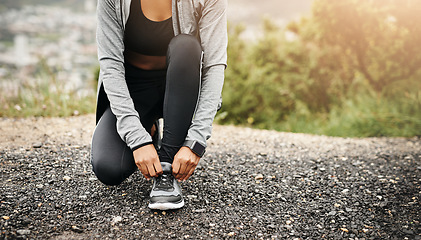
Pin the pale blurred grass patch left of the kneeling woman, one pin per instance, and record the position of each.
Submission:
(44, 96)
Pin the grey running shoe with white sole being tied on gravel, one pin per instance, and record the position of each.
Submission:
(166, 192)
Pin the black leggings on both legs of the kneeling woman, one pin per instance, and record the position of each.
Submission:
(171, 94)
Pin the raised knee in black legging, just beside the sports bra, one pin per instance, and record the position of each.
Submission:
(185, 45)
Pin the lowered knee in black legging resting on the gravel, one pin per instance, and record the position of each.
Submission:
(106, 173)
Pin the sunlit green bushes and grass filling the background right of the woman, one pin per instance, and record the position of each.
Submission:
(353, 69)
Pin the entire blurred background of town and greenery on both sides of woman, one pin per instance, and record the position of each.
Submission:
(340, 68)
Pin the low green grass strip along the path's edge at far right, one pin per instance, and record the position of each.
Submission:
(364, 118)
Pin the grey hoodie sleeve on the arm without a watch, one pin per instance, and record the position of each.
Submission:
(110, 33)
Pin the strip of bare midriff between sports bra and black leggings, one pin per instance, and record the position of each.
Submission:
(145, 62)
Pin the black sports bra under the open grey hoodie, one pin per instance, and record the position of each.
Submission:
(145, 36)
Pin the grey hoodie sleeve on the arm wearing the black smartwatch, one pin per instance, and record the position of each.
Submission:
(214, 41)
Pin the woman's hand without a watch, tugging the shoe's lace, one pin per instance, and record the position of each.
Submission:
(147, 160)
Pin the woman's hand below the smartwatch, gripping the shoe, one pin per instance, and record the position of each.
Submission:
(185, 162)
